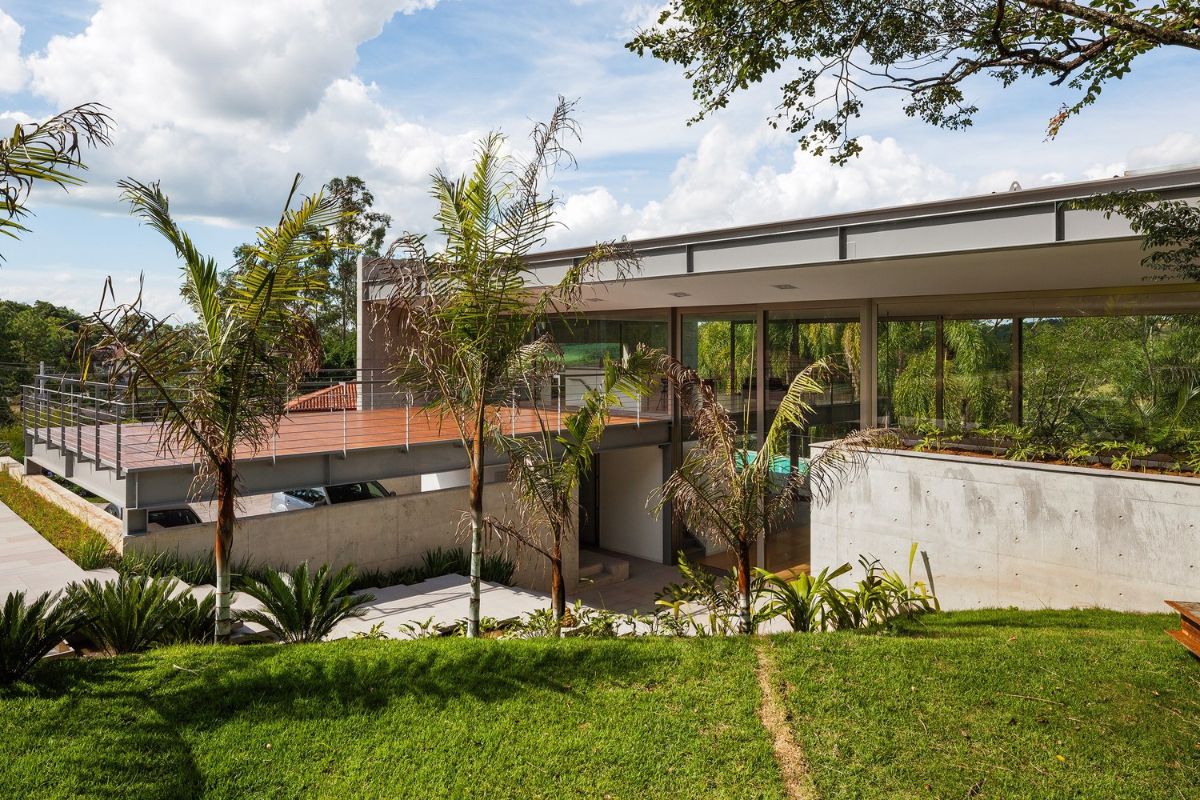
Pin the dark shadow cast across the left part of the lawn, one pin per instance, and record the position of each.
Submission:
(140, 714)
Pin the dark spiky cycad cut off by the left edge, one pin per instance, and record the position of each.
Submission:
(28, 631)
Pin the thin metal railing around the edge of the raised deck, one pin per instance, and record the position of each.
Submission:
(106, 425)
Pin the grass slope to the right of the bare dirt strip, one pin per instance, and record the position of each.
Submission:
(999, 705)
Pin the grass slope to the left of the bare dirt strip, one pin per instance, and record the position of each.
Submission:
(433, 719)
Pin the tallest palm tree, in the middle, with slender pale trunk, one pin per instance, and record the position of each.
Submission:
(470, 312)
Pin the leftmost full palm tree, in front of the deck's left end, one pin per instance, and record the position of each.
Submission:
(224, 382)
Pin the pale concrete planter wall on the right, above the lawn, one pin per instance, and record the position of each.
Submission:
(1005, 534)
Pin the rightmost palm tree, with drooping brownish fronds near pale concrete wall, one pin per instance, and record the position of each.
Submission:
(727, 494)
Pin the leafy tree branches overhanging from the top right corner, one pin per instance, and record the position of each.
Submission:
(836, 52)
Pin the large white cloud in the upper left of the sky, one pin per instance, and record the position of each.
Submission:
(225, 101)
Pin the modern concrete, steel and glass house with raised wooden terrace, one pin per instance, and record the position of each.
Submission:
(998, 334)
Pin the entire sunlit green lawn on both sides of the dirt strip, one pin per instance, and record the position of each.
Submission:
(989, 705)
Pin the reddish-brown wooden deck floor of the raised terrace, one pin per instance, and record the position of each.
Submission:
(304, 434)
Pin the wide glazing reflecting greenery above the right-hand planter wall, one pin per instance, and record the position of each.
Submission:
(1061, 381)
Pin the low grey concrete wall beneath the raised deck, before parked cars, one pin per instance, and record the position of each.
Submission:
(382, 534)
